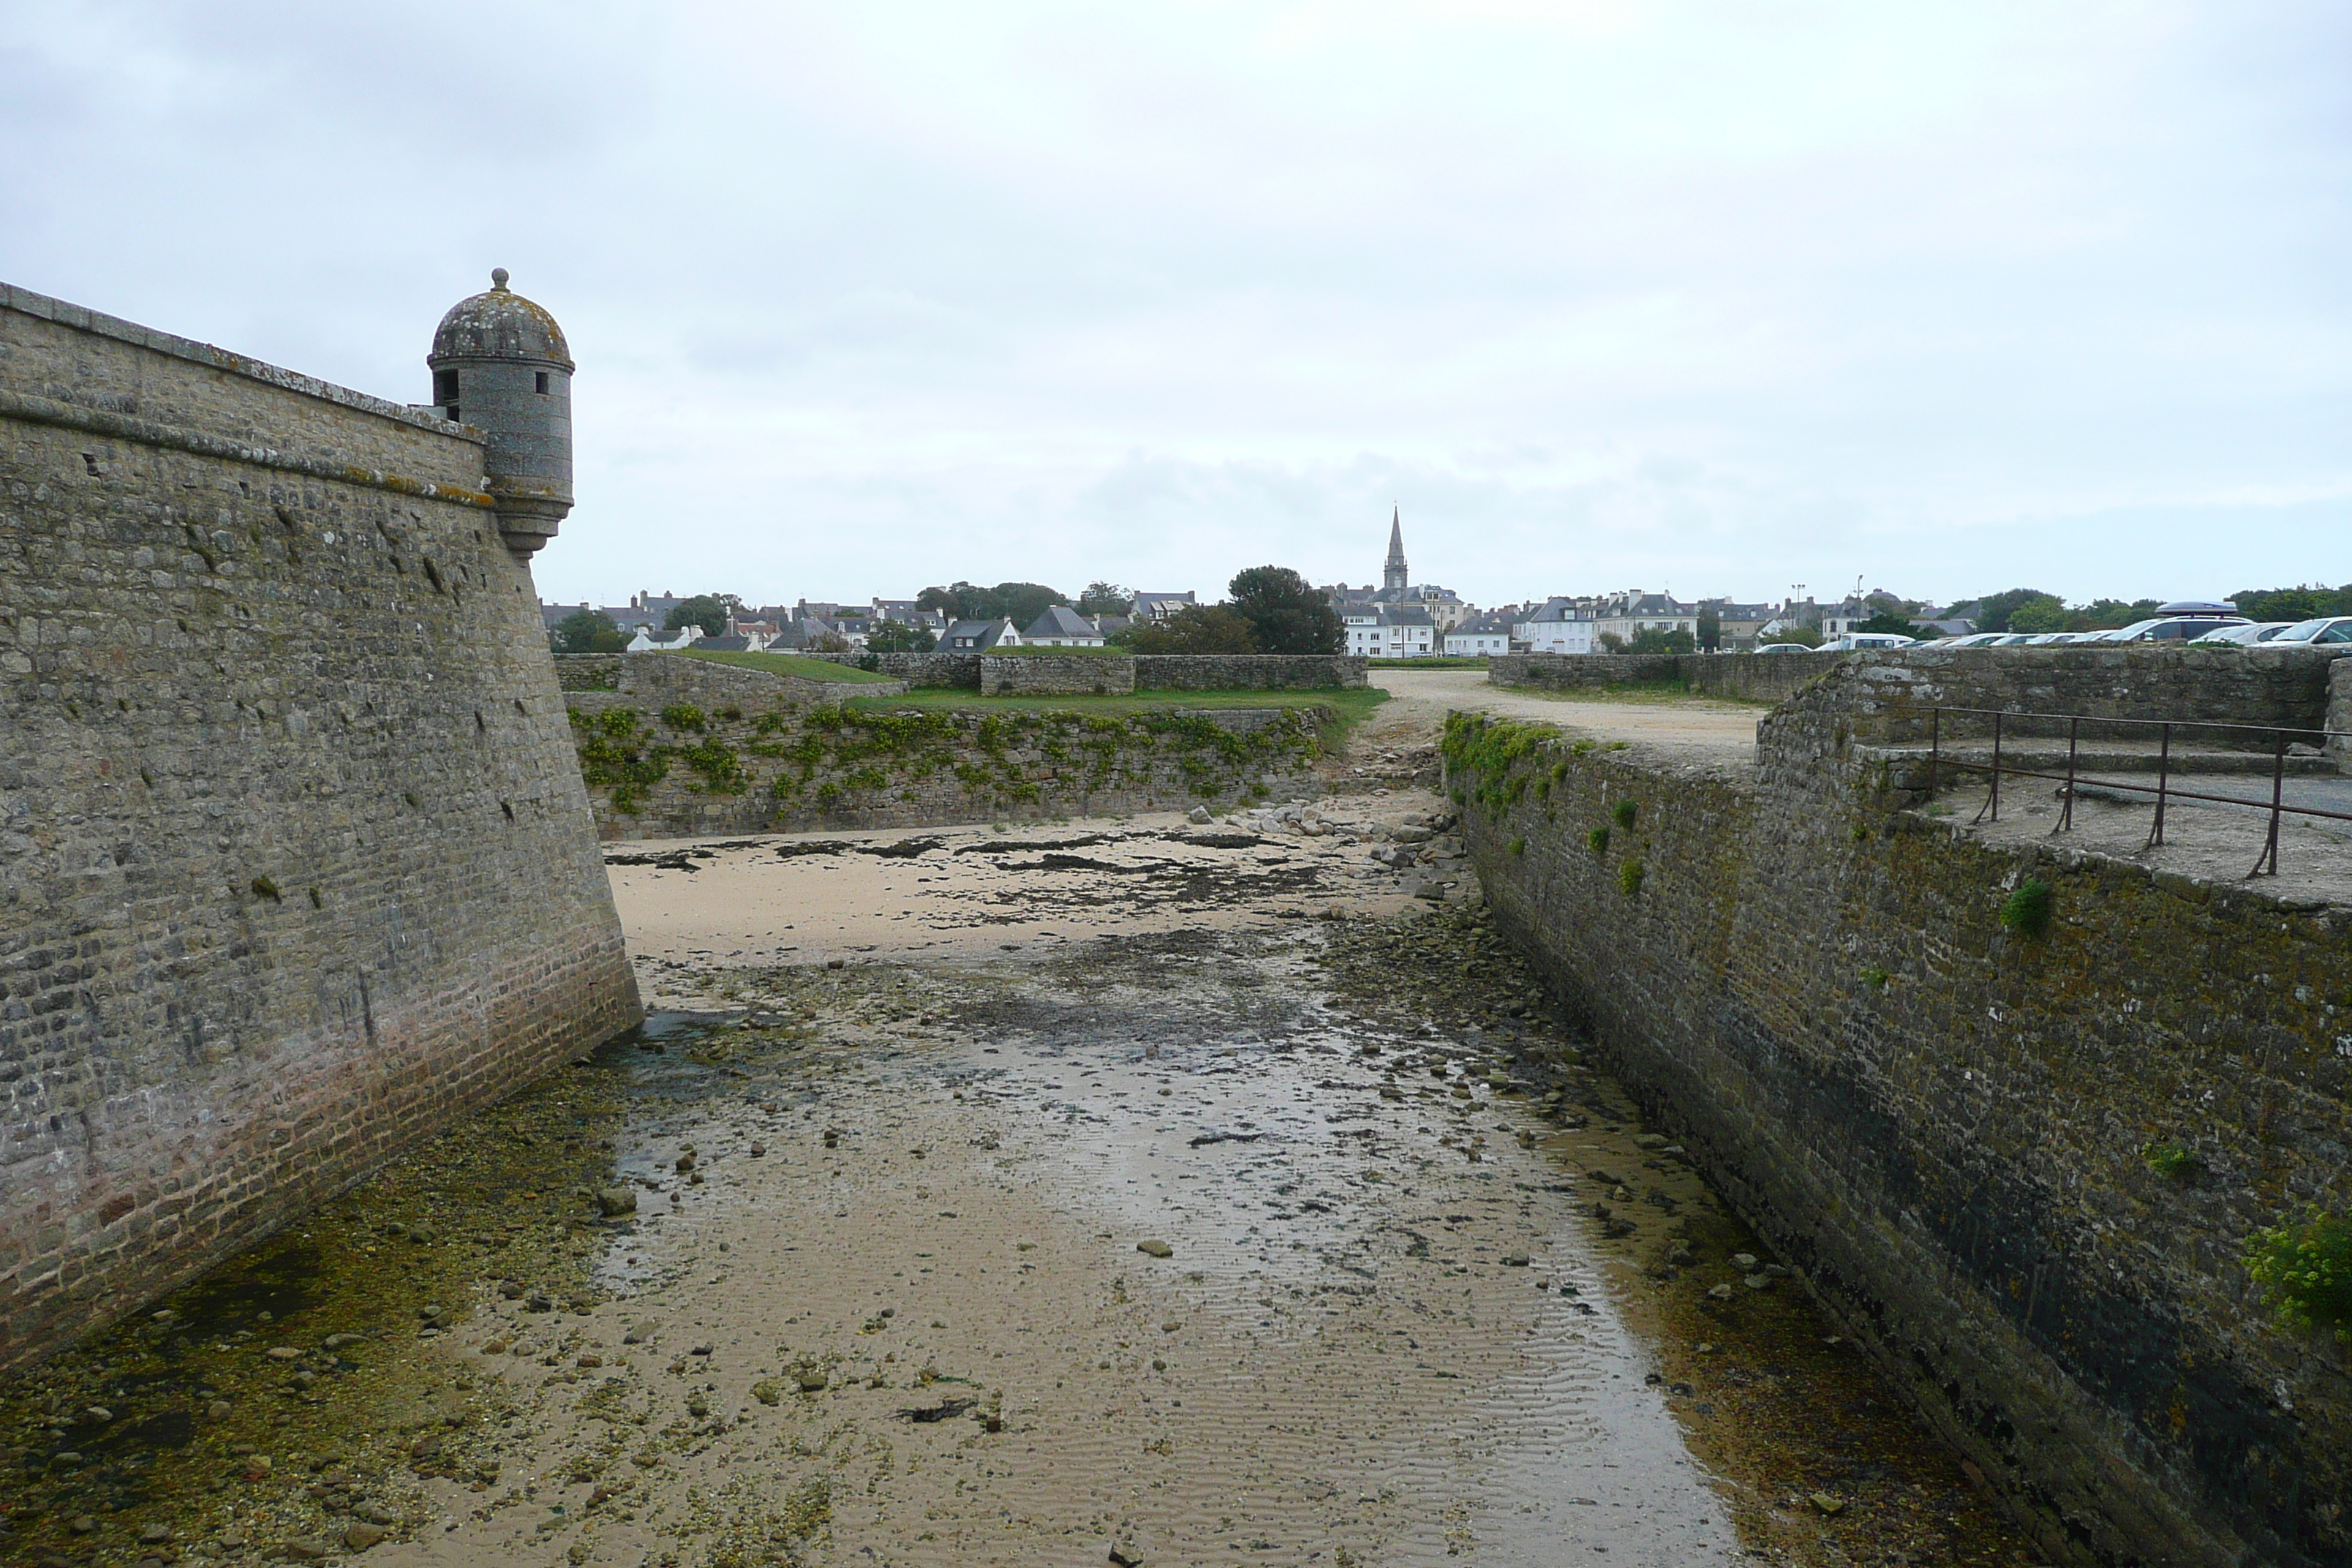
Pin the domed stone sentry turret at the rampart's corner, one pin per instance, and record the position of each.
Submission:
(502, 366)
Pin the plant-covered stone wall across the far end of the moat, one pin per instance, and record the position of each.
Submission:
(787, 768)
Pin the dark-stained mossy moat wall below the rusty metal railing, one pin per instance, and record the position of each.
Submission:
(2017, 1167)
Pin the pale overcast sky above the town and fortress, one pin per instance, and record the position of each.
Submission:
(1603, 293)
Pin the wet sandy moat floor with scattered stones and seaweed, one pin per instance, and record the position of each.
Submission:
(1137, 1193)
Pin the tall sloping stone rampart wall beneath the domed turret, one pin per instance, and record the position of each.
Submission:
(295, 859)
